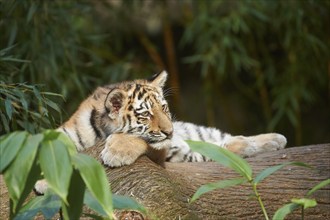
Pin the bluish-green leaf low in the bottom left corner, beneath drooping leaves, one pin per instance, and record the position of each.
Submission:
(49, 205)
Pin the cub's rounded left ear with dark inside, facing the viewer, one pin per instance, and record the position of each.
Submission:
(114, 102)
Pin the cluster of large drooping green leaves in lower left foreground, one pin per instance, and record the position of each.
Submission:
(24, 157)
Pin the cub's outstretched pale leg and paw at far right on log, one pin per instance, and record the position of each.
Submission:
(248, 146)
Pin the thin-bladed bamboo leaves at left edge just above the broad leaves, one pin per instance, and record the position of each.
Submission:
(26, 107)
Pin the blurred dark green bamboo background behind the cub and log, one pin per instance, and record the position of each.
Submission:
(244, 66)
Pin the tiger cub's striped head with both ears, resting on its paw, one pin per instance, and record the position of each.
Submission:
(139, 108)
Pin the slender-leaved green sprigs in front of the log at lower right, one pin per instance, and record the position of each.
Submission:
(231, 160)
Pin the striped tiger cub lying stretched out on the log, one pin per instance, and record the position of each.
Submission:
(134, 119)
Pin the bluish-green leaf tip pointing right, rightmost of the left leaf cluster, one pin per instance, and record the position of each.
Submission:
(125, 202)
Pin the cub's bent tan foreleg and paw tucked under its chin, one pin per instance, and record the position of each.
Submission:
(122, 149)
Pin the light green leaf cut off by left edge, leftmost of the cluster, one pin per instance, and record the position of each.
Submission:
(9, 147)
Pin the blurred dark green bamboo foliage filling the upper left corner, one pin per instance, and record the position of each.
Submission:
(41, 44)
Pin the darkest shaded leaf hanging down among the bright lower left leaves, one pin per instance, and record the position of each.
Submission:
(75, 197)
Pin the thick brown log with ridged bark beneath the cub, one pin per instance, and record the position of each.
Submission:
(166, 192)
